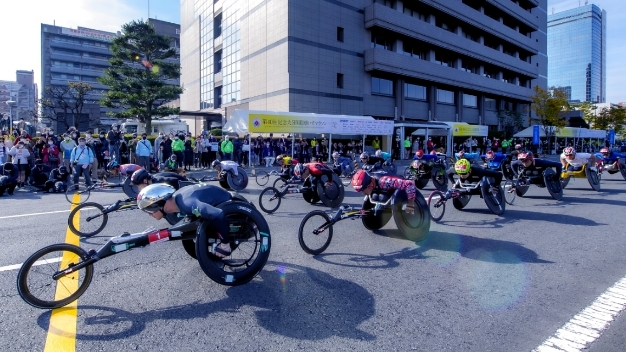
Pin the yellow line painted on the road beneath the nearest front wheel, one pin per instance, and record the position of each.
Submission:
(62, 330)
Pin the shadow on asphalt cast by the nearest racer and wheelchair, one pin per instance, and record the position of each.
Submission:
(292, 301)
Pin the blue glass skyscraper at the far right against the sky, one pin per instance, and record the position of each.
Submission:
(577, 53)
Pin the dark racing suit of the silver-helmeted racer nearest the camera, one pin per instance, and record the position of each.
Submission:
(200, 201)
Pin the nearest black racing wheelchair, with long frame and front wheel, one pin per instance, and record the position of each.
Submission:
(59, 274)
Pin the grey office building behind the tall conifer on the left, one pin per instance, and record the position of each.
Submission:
(82, 54)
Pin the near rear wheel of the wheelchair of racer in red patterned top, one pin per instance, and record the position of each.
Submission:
(414, 226)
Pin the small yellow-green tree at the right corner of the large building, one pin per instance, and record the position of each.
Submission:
(548, 106)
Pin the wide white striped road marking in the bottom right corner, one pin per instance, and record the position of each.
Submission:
(587, 326)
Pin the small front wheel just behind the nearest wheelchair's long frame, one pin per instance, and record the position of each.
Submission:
(87, 219)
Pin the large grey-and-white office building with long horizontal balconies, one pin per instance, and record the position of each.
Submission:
(455, 60)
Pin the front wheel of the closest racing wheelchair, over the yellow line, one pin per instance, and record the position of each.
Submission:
(35, 282)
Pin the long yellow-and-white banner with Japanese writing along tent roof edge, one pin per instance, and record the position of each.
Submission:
(271, 123)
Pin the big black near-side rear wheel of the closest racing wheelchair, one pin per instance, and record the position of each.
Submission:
(250, 244)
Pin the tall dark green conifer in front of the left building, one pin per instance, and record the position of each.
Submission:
(138, 74)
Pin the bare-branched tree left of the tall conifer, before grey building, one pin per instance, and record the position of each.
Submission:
(64, 104)
